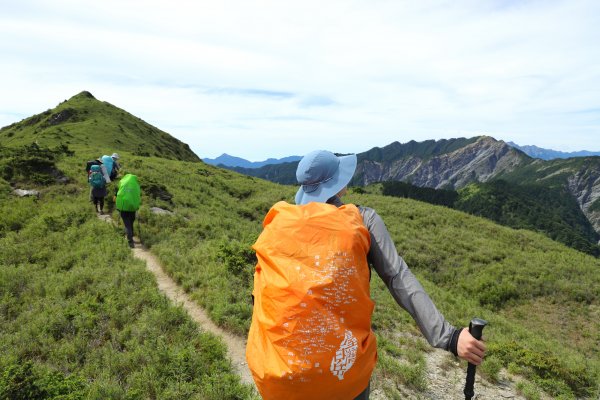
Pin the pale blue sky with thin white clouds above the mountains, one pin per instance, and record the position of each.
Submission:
(260, 79)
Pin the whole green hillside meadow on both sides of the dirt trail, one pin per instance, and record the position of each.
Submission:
(540, 297)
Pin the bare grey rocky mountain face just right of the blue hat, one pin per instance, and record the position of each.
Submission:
(479, 161)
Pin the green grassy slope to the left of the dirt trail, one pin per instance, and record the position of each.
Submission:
(80, 318)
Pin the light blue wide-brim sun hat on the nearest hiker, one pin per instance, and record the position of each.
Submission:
(322, 175)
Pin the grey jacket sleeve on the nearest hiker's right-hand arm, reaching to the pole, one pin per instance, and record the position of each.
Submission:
(404, 286)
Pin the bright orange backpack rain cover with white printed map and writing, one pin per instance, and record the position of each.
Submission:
(311, 335)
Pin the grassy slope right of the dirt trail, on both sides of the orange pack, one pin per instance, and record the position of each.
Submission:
(470, 266)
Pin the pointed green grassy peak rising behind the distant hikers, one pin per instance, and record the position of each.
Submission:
(92, 128)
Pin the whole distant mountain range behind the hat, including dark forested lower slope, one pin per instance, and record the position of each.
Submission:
(457, 163)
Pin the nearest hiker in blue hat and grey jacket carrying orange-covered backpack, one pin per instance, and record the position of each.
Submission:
(311, 336)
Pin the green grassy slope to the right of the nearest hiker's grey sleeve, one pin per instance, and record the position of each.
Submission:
(510, 276)
